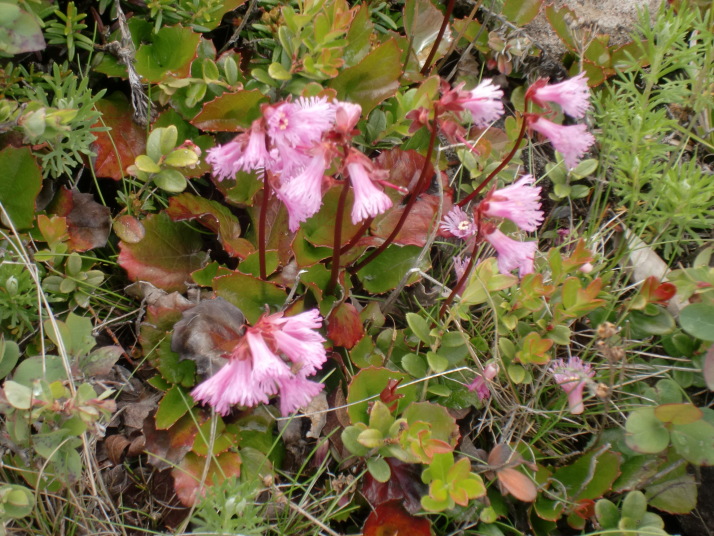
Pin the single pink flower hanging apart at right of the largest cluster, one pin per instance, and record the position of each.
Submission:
(369, 200)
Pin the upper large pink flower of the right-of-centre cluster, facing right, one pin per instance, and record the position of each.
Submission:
(519, 202)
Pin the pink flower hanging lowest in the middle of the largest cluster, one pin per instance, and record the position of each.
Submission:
(302, 194)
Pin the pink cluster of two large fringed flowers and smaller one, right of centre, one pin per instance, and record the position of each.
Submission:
(520, 203)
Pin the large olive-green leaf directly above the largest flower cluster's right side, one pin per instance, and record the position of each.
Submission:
(372, 80)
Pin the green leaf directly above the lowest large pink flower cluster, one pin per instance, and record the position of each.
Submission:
(249, 294)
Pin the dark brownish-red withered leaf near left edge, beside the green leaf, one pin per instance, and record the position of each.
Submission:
(88, 222)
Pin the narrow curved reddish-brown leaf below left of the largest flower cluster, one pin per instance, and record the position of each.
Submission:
(215, 217)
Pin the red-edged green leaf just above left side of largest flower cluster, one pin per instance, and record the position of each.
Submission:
(230, 112)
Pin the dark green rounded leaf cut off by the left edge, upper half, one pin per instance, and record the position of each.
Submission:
(20, 184)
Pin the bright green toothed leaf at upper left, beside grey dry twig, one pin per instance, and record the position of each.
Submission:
(170, 53)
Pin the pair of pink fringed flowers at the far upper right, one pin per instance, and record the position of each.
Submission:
(573, 97)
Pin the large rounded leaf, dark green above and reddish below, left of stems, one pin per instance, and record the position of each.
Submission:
(166, 256)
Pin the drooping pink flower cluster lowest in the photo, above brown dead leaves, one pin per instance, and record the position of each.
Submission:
(275, 356)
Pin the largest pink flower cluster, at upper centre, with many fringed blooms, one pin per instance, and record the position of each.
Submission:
(294, 143)
